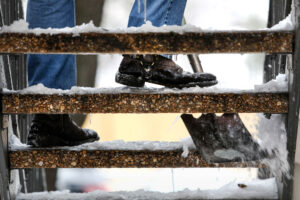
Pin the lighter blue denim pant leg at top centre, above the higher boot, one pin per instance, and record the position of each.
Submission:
(159, 12)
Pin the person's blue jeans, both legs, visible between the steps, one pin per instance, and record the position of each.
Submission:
(59, 71)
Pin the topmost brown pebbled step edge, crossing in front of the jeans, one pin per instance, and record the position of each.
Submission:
(151, 42)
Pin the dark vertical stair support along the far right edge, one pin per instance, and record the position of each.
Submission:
(294, 101)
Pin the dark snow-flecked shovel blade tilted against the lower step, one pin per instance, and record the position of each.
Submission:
(222, 139)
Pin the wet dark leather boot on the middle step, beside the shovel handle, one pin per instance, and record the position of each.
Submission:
(136, 70)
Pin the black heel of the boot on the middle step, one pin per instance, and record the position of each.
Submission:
(130, 80)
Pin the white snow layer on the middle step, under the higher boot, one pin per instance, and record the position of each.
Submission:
(278, 85)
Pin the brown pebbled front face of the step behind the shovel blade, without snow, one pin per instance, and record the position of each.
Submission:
(55, 158)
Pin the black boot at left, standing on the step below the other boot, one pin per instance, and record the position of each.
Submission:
(58, 130)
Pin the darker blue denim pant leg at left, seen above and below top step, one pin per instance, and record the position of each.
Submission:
(54, 71)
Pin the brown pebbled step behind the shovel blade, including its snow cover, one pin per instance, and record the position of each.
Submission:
(116, 154)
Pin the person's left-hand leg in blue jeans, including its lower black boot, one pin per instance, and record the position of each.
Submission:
(54, 71)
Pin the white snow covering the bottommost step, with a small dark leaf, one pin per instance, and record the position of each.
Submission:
(256, 189)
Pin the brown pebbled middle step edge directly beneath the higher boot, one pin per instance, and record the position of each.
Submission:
(144, 101)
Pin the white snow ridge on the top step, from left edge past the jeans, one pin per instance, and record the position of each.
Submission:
(21, 26)
